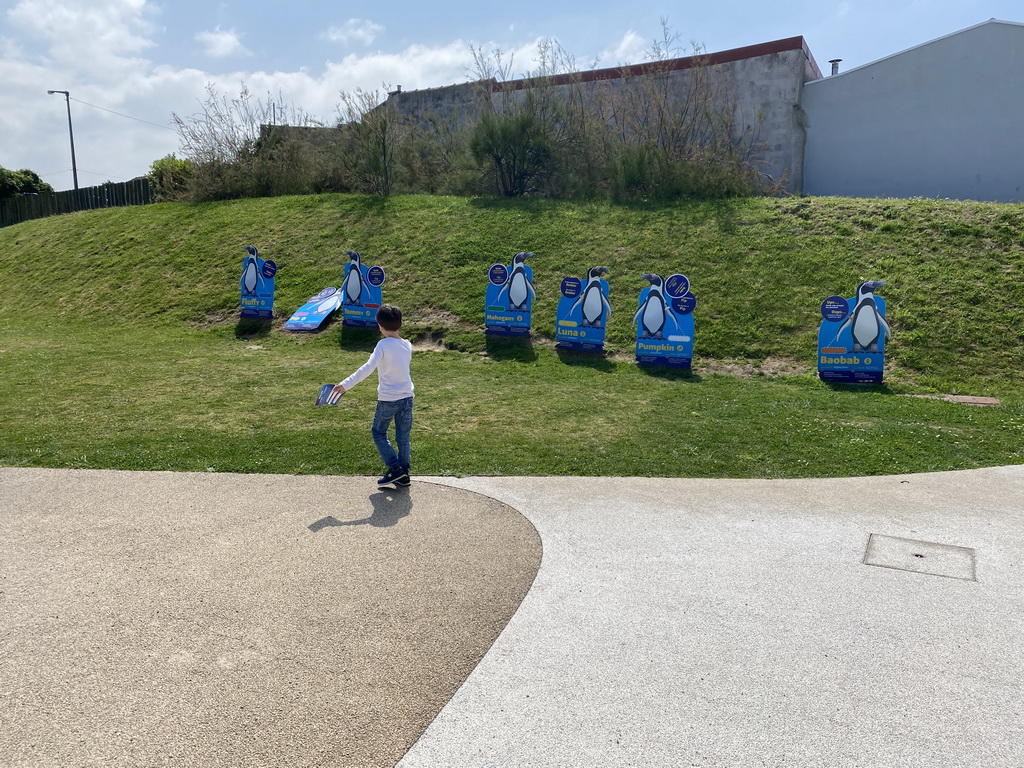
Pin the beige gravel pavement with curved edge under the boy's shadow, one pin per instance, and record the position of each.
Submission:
(215, 620)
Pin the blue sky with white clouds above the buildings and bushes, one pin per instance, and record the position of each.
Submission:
(130, 65)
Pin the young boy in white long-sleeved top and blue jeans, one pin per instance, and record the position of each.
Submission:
(392, 358)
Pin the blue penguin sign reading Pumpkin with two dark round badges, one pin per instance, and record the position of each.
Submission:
(665, 322)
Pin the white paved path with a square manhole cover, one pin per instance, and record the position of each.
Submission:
(736, 623)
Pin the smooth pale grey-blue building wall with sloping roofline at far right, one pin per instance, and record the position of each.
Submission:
(943, 120)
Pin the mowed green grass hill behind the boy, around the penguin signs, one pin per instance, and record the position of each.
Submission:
(122, 347)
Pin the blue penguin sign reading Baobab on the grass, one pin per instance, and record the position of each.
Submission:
(851, 340)
